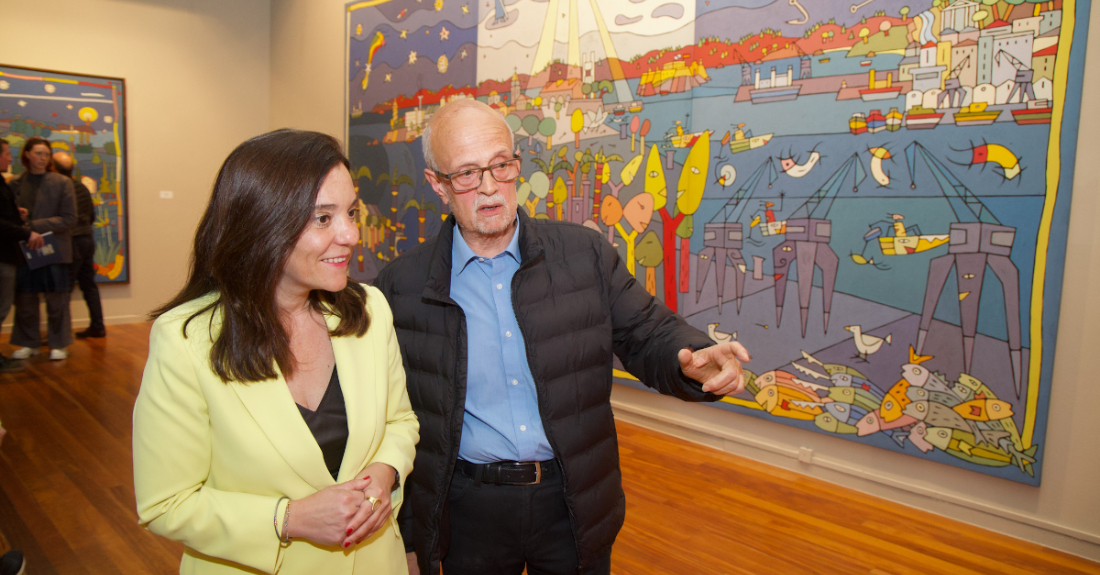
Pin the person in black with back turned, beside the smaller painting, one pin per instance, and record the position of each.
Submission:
(84, 249)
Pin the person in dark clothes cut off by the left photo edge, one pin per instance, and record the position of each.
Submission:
(13, 231)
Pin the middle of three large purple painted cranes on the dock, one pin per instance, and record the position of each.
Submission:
(809, 233)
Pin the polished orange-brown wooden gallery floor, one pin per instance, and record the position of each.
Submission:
(67, 495)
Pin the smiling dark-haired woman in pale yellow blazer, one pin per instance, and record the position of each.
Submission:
(273, 427)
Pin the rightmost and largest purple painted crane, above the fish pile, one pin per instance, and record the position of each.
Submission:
(977, 240)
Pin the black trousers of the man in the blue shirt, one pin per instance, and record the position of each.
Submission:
(500, 529)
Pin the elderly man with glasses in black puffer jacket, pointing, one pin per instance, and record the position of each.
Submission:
(509, 326)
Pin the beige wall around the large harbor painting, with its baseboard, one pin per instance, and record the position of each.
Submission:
(307, 92)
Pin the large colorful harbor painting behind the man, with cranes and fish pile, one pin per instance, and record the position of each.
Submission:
(872, 196)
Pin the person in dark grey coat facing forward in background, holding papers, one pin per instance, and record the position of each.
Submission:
(51, 207)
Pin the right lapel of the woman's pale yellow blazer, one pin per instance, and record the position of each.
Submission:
(356, 368)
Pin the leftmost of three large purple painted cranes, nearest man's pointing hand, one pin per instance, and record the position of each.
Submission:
(723, 238)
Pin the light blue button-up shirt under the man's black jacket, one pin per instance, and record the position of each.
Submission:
(502, 422)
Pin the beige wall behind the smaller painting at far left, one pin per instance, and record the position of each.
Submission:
(197, 85)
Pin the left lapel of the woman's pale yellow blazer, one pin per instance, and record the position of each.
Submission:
(271, 406)
